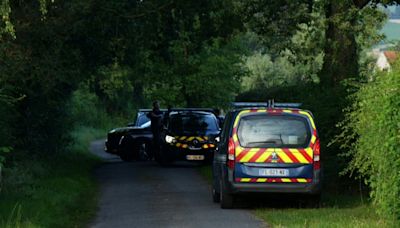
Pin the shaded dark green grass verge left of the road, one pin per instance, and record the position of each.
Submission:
(51, 191)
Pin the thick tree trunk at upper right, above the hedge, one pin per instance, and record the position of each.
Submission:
(341, 54)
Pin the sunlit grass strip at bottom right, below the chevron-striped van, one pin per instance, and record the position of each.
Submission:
(337, 211)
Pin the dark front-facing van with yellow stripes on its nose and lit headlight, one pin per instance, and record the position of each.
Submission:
(190, 135)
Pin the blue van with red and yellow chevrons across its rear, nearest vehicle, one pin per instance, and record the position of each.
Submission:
(267, 148)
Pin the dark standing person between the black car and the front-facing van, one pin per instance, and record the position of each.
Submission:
(155, 117)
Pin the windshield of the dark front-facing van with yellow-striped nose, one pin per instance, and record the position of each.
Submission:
(192, 123)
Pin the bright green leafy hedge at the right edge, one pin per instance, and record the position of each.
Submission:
(371, 137)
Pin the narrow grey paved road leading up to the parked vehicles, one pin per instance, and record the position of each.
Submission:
(144, 194)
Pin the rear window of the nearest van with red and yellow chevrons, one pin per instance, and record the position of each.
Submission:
(266, 131)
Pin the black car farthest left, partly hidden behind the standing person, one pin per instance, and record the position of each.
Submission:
(133, 142)
